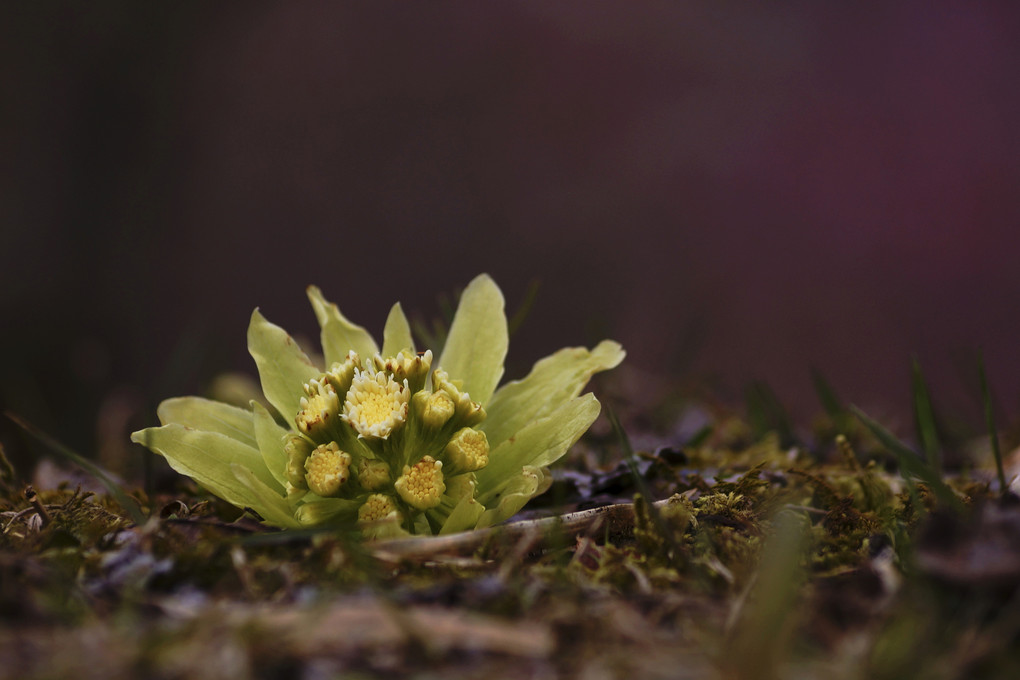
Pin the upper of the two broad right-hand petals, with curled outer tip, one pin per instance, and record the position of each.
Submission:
(553, 382)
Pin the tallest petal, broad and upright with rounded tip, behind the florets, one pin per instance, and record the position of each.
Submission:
(477, 345)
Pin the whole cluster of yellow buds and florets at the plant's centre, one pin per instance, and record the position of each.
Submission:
(388, 436)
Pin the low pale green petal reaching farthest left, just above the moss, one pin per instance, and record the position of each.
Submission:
(207, 458)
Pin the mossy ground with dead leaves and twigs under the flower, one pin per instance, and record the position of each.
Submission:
(762, 557)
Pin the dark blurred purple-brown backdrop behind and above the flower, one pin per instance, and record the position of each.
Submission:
(735, 191)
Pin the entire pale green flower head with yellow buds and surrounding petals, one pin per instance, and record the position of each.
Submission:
(383, 440)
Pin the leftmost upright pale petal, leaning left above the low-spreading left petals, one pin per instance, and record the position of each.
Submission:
(283, 368)
